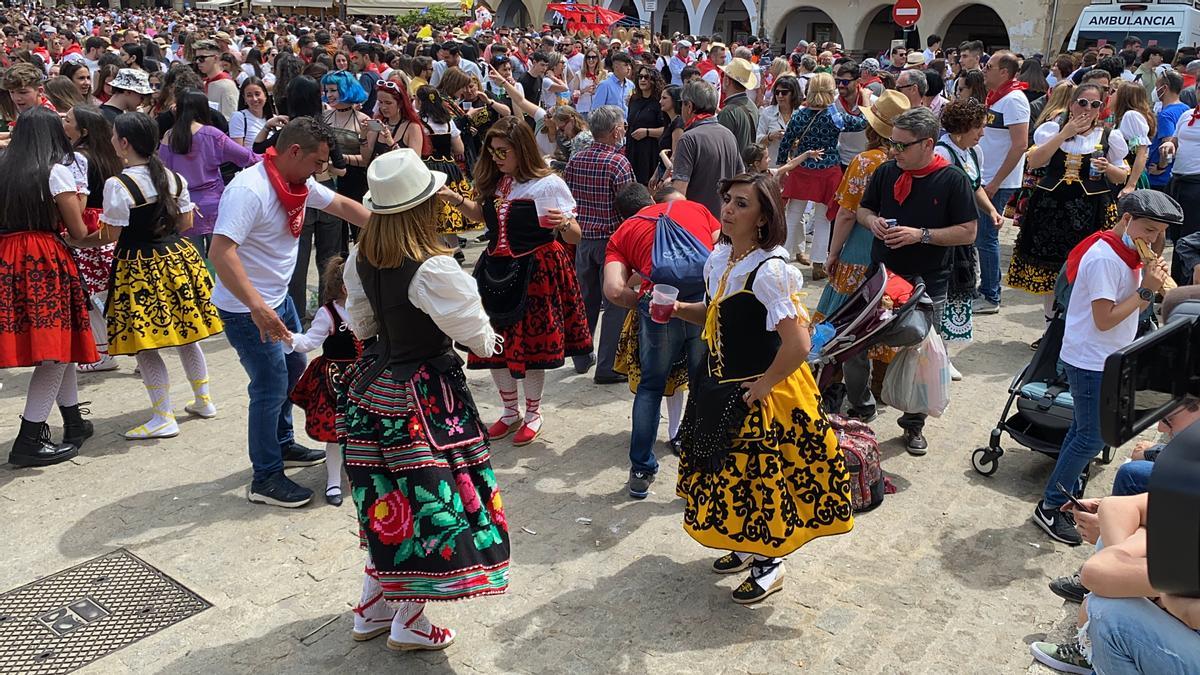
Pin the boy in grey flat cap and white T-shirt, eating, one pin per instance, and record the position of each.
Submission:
(1102, 318)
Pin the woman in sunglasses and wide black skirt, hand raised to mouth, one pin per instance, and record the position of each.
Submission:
(1083, 163)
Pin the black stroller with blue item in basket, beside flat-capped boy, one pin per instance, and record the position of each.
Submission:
(1045, 408)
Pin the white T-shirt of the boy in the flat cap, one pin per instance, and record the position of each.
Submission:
(1102, 276)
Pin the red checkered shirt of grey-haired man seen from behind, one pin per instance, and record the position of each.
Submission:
(595, 177)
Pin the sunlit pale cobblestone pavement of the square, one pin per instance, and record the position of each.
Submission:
(949, 576)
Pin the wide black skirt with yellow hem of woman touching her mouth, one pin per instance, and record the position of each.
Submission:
(1055, 222)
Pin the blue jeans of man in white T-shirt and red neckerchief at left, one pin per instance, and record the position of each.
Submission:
(273, 375)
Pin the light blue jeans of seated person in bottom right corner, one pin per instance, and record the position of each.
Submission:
(1136, 636)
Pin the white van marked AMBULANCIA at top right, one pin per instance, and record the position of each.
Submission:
(1163, 23)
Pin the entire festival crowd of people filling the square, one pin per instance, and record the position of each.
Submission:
(173, 177)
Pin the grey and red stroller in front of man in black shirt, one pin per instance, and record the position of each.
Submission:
(869, 318)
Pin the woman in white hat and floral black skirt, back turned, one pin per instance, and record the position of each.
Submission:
(430, 512)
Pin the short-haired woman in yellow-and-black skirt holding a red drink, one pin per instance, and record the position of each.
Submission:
(760, 471)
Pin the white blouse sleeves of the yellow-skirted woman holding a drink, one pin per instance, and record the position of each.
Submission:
(777, 285)
